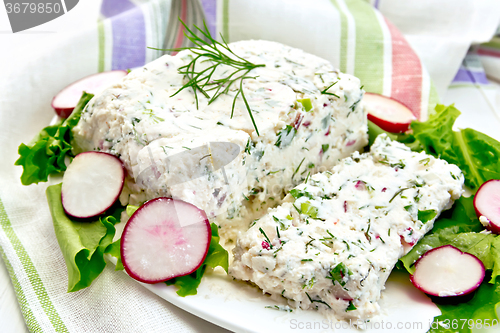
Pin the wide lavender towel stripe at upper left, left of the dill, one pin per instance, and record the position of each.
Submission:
(129, 33)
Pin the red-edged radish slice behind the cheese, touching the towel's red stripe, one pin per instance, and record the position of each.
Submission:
(387, 113)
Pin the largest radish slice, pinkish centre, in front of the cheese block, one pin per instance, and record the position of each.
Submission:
(165, 238)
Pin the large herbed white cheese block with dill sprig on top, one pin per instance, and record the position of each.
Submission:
(308, 114)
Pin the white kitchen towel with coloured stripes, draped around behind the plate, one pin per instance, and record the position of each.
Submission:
(352, 34)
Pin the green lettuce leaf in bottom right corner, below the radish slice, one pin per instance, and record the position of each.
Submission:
(480, 309)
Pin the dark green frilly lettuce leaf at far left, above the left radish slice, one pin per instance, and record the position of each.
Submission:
(46, 153)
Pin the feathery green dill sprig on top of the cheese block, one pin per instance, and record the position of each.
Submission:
(217, 53)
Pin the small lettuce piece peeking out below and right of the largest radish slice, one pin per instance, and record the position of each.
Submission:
(216, 256)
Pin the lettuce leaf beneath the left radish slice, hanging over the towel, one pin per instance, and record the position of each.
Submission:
(83, 243)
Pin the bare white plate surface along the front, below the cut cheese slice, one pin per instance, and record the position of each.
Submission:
(240, 307)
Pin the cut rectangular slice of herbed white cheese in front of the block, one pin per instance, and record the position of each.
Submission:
(334, 241)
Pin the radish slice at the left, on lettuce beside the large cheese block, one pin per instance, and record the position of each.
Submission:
(91, 184)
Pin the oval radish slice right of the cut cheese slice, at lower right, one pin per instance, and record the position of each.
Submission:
(446, 271)
